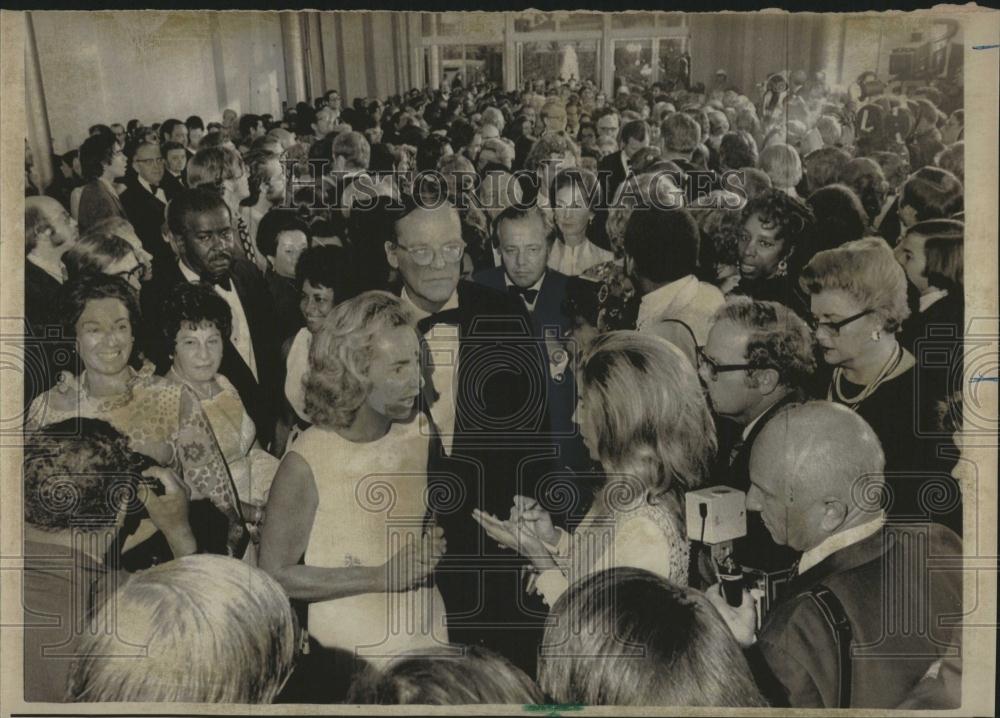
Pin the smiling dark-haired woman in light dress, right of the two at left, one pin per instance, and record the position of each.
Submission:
(196, 321)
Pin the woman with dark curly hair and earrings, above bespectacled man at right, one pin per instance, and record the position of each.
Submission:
(775, 242)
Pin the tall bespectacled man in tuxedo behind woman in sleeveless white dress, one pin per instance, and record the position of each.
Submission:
(484, 403)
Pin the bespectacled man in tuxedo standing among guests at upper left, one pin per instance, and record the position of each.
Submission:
(145, 201)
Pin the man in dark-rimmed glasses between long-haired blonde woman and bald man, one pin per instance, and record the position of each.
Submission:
(757, 359)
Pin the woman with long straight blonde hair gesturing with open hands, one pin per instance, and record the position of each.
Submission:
(642, 414)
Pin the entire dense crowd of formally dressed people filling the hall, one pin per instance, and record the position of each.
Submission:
(398, 402)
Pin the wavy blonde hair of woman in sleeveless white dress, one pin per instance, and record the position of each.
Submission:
(337, 383)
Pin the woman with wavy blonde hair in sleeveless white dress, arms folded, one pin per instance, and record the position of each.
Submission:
(349, 493)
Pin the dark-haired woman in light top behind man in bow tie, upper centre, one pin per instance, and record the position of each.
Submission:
(574, 196)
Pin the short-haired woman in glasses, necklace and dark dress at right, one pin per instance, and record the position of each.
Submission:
(858, 302)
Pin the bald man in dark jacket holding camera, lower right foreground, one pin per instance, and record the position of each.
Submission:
(816, 475)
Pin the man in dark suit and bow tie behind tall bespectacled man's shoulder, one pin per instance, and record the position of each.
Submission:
(525, 240)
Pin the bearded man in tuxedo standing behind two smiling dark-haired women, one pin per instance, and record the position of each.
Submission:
(202, 238)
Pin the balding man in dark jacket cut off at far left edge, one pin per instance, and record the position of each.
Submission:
(49, 231)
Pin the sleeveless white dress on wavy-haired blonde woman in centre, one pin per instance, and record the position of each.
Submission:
(371, 500)
